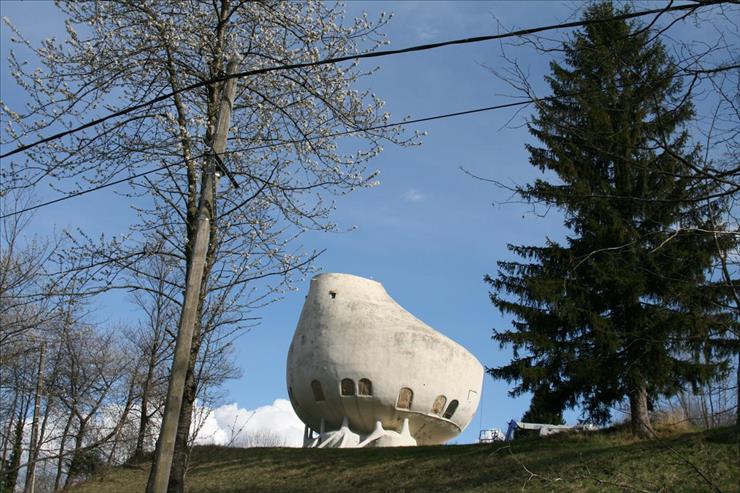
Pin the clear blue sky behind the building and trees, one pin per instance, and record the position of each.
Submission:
(429, 232)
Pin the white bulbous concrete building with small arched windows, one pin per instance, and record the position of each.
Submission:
(362, 371)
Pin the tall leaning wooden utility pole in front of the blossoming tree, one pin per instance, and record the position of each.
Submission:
(160, 474)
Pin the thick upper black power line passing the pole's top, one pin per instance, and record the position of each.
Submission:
(376, 54)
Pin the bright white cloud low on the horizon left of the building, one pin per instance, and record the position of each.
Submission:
(272, 425)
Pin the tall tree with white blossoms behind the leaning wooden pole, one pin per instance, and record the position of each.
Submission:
(283, 149)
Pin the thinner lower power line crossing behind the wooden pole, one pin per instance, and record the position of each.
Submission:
(343, 133)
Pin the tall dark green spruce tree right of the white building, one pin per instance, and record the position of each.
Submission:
(623, 306)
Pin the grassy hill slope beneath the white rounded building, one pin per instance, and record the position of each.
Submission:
(600, 461)
